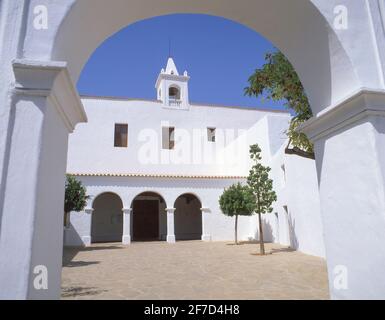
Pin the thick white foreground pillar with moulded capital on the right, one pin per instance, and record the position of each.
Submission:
(350, 156)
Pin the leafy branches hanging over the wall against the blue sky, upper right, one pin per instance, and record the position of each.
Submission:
(277, 80)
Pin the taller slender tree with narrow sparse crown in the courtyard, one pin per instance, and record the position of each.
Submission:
(262, 187)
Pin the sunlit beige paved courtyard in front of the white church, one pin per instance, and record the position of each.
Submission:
(191, 270)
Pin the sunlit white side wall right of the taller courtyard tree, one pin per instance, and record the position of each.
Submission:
(296, 184)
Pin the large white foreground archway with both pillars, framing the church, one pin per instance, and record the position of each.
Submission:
(40, 107)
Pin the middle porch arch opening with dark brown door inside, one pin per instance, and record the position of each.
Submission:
(149, 221)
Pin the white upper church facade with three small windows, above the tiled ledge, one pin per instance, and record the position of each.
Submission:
(91, 146)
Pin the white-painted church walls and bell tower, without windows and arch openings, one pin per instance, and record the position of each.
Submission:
(196, 166)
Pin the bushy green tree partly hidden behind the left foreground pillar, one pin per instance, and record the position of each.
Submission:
(75, 197)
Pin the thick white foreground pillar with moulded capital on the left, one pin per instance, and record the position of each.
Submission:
(44, 109)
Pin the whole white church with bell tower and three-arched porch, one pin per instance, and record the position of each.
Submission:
(154, 170)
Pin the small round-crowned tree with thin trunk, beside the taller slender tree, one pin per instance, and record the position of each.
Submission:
(237, 200)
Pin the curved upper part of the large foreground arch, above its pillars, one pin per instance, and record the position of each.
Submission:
(296, 27)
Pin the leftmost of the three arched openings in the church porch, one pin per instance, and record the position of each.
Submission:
(107, 218)
